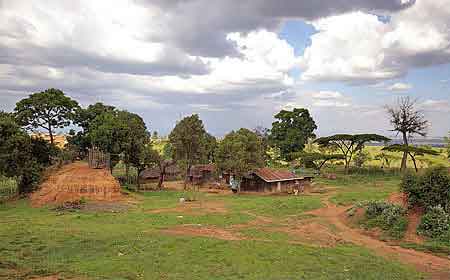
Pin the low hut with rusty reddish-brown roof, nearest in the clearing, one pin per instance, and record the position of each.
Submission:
(273, 180)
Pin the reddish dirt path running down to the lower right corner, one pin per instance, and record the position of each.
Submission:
(438, 268)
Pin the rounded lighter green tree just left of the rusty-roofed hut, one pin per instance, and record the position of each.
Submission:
(240, 152)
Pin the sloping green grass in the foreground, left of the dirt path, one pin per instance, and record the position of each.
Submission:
(129, 245)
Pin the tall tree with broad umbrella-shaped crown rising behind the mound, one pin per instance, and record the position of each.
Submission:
(47, 110)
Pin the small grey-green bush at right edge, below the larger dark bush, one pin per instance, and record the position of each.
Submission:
(435, 223)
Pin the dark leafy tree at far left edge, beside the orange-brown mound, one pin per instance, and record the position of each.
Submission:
(20, 155)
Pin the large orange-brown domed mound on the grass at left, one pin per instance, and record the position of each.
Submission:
(75, 181)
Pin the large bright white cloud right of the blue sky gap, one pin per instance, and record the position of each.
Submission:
(360, 47)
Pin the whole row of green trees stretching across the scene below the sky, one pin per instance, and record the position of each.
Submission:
(126, 137)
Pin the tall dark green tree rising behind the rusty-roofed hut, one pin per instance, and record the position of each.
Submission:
(292, 130)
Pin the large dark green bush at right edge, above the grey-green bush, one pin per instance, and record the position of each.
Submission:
(428, 190)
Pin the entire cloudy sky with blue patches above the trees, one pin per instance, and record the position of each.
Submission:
(235, 63)
